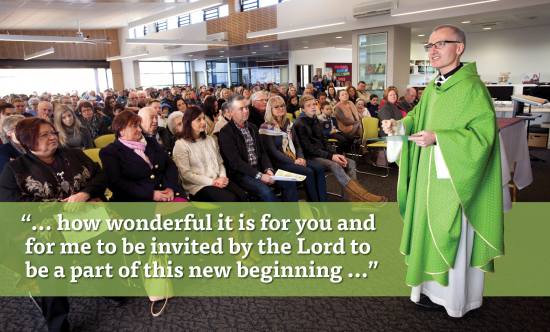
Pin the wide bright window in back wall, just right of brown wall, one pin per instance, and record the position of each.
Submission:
(157, 73)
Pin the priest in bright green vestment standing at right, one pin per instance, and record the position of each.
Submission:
(450, 182)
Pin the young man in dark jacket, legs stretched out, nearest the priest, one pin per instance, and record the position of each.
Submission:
(317, 148)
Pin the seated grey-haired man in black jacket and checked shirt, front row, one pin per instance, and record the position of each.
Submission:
(245, 159)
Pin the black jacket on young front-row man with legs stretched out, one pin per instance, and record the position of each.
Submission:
(312, 137)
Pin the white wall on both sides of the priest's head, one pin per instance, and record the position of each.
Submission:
(519, 51)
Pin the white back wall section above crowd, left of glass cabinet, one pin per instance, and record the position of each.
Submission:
(316, 57)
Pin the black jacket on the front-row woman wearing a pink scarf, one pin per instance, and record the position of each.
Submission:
(131, 179)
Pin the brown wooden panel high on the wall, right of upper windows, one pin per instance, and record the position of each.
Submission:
(237, 25)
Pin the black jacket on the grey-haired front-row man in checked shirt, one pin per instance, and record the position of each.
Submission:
(235, 154)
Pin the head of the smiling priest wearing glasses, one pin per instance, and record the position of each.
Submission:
(446, 58)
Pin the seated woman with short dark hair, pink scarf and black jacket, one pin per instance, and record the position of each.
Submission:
(137, 167)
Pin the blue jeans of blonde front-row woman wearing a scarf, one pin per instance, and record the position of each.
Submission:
(315, 183)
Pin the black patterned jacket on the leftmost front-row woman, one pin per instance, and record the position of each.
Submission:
(27, 179)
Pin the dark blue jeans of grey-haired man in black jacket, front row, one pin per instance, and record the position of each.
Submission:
(262, 190)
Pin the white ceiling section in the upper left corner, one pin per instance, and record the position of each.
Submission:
(63, 15)
